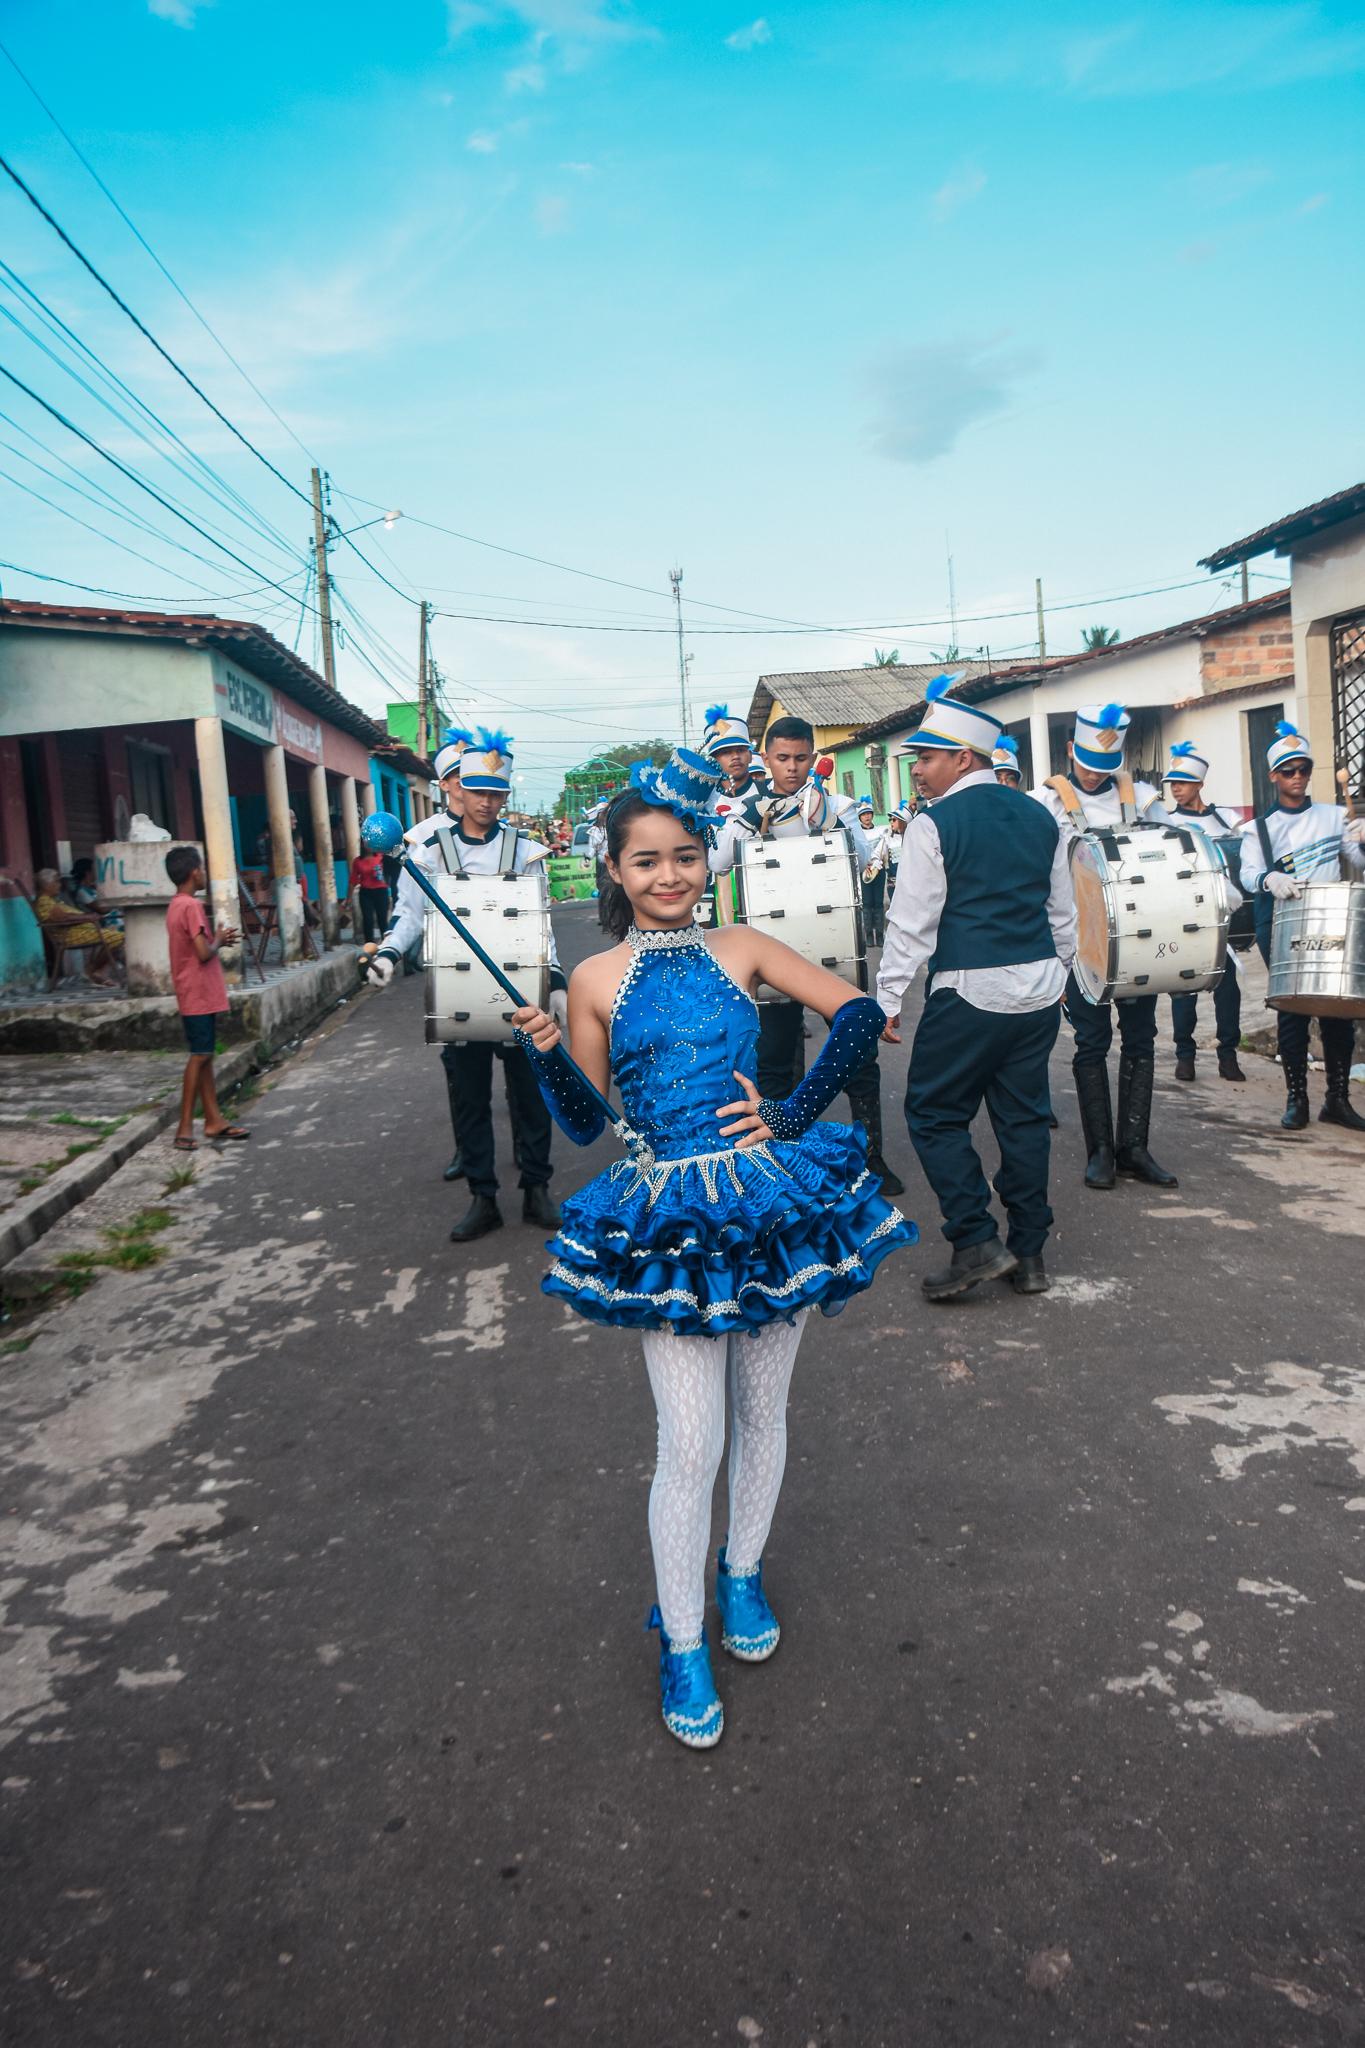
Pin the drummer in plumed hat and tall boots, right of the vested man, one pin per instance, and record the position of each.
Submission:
(1098, 792)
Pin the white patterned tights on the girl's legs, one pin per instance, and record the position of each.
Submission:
(691, 1379)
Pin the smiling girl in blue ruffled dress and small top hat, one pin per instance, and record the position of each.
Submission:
(732, 1220)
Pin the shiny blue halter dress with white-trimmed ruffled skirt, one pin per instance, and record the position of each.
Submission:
(711, 1240)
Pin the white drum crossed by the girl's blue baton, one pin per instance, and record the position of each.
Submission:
(511, 916)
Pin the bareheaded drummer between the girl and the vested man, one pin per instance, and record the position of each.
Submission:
(797, 806)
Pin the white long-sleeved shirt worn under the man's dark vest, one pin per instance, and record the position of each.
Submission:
(914, 927)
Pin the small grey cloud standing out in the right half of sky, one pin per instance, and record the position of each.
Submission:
(932, 392)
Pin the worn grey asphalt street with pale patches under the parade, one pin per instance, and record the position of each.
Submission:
(328, 1717)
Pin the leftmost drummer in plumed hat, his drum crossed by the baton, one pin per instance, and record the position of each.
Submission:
(478, 845)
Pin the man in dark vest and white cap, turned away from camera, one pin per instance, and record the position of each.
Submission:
(983, 898)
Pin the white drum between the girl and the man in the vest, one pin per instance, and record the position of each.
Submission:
(809, 896)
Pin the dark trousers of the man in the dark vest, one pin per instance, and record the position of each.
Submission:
(961, 1060)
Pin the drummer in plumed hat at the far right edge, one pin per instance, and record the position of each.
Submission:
(1303, 843)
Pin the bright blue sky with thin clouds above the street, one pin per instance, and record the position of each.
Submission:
(797, 300)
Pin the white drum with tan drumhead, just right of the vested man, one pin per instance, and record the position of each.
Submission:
(1153, 908)
